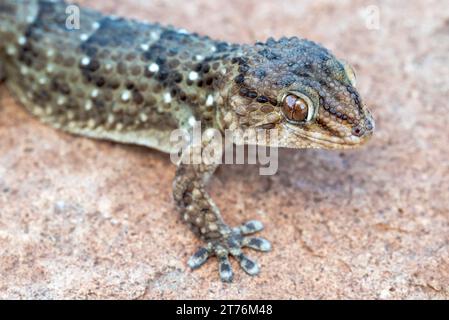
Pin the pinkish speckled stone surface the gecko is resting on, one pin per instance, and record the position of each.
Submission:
(88, 219)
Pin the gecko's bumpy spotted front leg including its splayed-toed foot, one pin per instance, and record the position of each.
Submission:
(200, 212)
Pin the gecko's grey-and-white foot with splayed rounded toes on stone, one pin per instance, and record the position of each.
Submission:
(231, 243)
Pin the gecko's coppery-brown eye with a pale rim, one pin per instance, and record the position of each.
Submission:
(297, 109)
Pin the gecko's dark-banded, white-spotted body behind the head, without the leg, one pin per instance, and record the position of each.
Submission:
(108, 78)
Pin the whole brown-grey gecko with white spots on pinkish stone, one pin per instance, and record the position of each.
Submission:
(134, 82)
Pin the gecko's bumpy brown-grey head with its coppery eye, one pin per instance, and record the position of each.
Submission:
(300, 89)
